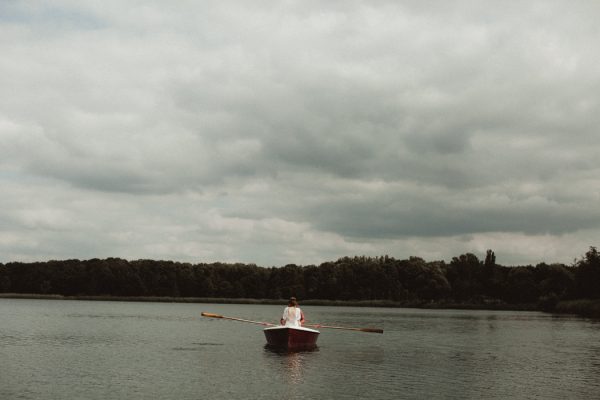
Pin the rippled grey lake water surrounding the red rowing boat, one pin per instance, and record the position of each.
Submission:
(124, 350)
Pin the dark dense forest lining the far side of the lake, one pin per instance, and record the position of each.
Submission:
(464, 280)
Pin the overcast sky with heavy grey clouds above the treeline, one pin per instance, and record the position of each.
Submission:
(276, 132)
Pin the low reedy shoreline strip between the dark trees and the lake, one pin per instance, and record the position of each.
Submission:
(582, 307)
